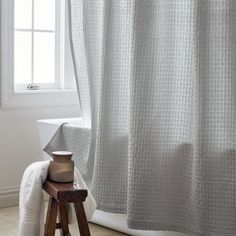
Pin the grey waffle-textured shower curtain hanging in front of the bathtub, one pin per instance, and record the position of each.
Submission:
(157, 82)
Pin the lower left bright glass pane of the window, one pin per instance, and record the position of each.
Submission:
(22, 57)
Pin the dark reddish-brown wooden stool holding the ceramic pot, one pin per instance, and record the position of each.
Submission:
(60, 195)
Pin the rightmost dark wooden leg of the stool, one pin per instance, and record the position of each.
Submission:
(81, 218)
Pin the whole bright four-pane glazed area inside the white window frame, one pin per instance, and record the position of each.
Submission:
(35, 43)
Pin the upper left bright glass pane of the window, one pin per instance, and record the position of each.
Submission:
(23, 14)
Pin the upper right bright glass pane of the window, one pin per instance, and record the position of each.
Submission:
(44, 14)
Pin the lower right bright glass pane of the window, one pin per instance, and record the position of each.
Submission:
(44, 57)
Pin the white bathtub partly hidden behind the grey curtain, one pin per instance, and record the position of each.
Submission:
(47, 128)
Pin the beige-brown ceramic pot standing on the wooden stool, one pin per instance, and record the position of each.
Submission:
(61, 169)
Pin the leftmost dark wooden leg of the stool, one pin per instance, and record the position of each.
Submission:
(51, 219)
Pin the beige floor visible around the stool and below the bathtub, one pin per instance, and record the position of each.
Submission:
(9, 218)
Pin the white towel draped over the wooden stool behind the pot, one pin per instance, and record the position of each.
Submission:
(31, 202)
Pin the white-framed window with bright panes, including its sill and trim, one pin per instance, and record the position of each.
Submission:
(36, 64)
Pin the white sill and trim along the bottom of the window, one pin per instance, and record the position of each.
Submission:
(40, 98)
